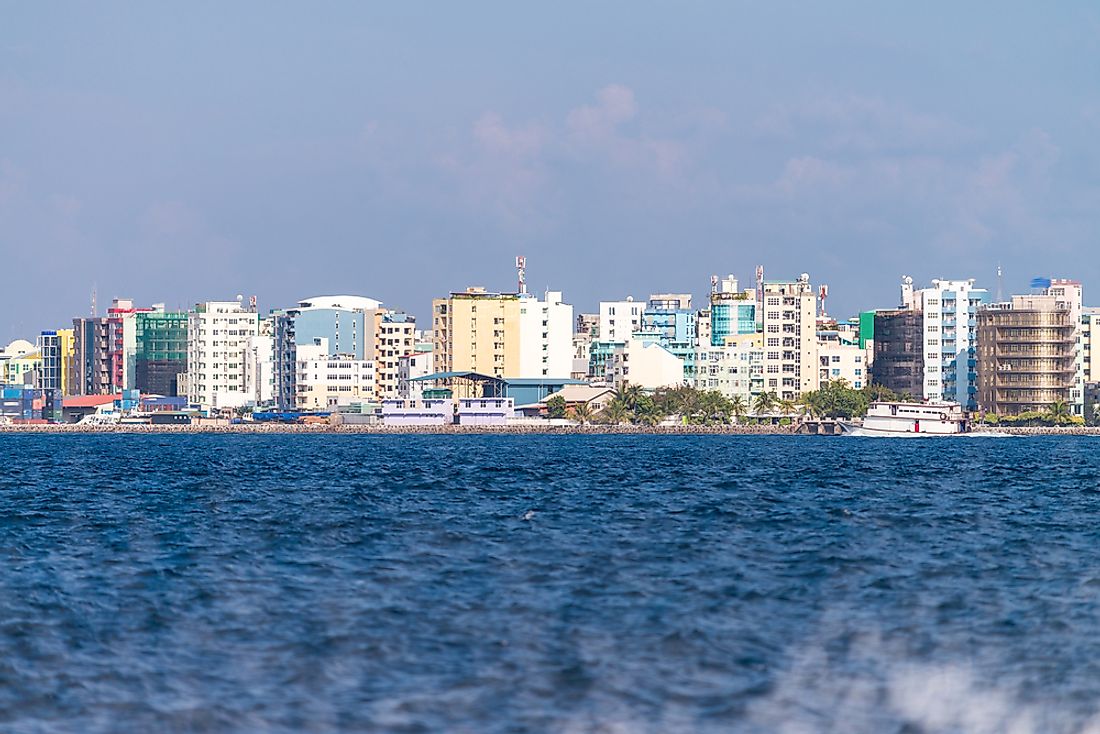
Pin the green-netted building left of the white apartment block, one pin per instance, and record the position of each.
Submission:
(160, 352)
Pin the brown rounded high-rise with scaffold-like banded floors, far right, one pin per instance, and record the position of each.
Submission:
(1027, 355)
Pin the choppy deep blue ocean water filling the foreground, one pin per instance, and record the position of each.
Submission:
(577, 584)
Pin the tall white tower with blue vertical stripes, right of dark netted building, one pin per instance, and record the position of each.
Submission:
(951, 334)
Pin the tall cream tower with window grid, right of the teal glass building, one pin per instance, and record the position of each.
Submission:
(790, 325)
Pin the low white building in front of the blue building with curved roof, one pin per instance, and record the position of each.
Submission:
(326, 382)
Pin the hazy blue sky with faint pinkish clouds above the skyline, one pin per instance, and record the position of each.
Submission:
(185, 152)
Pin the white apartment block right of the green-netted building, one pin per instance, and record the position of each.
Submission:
(218, 334)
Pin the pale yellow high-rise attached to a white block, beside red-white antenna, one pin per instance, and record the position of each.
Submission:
(477, 332)
